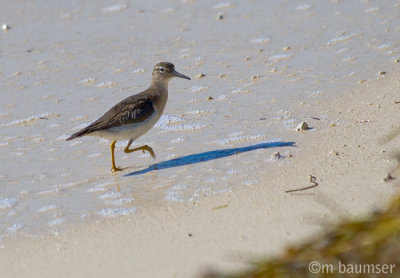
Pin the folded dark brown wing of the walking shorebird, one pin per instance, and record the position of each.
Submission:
(129, 111)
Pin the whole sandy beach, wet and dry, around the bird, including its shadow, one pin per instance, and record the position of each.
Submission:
(233, 181)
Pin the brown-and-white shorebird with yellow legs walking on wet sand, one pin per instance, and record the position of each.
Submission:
(135, 115)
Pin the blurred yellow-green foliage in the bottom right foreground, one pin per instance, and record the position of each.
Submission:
(370, 246)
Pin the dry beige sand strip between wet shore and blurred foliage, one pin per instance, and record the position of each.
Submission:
(228, 230)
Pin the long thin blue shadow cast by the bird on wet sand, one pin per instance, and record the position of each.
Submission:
(207, 156)
